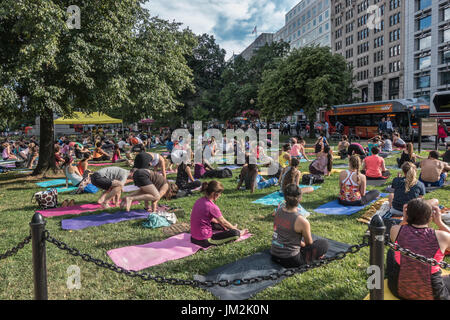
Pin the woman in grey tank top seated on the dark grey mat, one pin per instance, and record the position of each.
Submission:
(292, 243)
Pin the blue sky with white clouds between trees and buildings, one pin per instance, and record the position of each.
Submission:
(230, 21)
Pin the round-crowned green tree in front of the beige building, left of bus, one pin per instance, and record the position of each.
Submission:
(309, 78)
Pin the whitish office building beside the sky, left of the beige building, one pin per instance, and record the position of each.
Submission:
(307, 23)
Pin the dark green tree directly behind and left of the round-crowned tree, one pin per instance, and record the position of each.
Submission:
(241, 79)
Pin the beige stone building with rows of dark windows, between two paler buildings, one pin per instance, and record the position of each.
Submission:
(370, 35)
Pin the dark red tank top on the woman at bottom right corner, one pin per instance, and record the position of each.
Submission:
(414, 280)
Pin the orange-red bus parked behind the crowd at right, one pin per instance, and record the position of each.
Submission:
(362, 119)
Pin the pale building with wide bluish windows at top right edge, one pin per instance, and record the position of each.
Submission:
(427, 54)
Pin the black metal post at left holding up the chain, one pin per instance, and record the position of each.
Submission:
(37, 226)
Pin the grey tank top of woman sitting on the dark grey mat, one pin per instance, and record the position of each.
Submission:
(286, 243)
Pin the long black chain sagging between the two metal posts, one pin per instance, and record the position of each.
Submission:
(195, 283)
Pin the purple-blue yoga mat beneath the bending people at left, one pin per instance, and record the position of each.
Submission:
(96, 220)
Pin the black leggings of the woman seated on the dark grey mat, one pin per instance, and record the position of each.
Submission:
(307, 254)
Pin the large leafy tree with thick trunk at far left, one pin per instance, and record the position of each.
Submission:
(121, 60)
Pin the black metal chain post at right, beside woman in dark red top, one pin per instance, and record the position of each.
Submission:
(377, 236)
